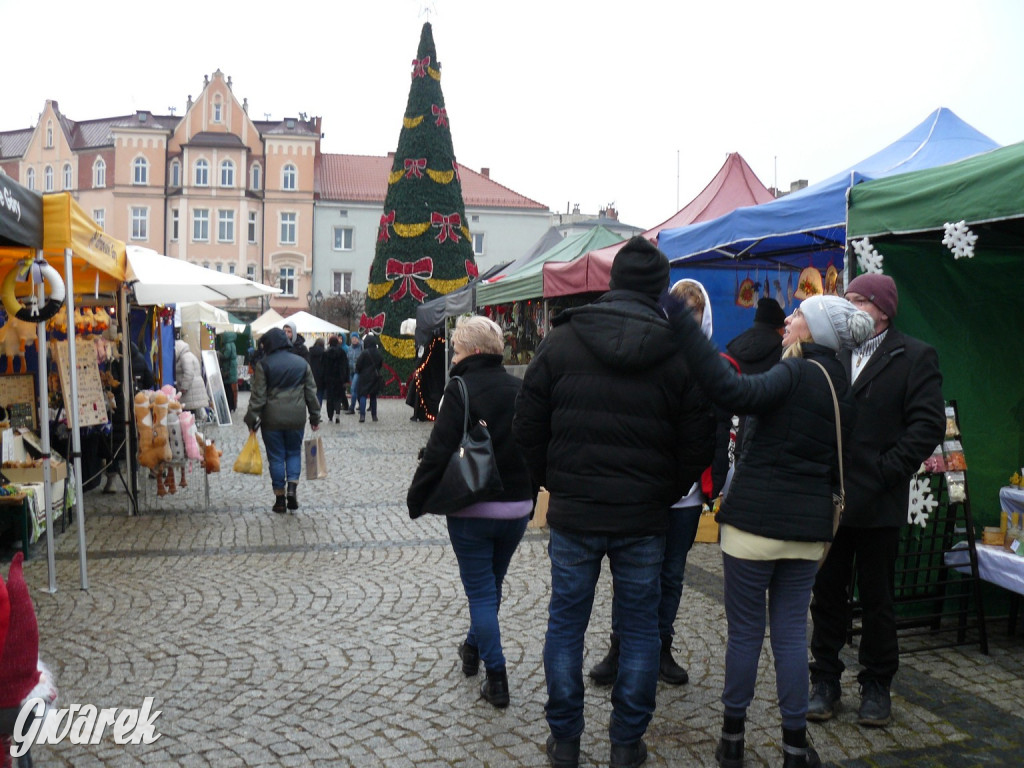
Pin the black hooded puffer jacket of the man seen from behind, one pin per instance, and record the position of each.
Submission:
(610, 419)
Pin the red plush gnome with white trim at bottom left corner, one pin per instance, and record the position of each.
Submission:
(23, 676)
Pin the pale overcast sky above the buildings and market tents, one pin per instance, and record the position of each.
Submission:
(634, 103)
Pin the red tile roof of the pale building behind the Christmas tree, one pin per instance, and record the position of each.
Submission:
(364, 179)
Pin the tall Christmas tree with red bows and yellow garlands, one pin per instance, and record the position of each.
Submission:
(424, 249)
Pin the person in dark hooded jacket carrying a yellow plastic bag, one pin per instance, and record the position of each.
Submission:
(283, 392)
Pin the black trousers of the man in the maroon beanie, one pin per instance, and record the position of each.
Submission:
(873, 553)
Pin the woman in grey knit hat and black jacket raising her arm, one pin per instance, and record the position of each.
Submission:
(779, 513)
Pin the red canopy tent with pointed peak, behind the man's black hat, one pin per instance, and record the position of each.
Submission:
(736, 186)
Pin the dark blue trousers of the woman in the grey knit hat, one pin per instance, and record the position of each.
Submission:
(788, 584)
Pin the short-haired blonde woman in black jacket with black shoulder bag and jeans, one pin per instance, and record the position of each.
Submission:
(486, 535)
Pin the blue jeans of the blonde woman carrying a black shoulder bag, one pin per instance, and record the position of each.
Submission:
(484, 548)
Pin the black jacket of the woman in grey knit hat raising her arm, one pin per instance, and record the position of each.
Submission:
(789, 467)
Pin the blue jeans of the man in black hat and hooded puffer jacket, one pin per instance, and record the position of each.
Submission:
(576, 567)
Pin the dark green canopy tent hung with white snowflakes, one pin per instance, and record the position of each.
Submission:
(968, 308)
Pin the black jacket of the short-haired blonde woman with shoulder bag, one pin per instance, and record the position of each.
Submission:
(492, 398)
